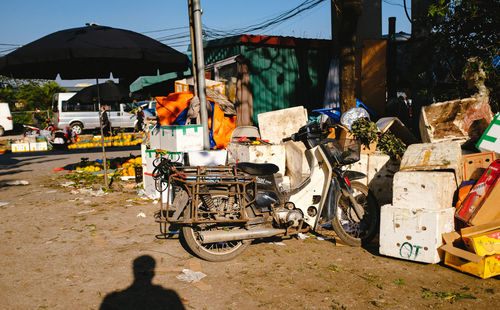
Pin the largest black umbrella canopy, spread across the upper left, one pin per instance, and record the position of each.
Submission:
(92, 52)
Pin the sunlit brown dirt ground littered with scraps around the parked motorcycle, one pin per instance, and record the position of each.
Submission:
(64, 249)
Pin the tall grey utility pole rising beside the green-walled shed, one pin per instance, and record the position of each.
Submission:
(199, 63)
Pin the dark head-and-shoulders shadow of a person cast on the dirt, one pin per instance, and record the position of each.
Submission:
(142, 293)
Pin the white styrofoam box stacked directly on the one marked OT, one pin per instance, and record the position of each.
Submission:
(431, 190)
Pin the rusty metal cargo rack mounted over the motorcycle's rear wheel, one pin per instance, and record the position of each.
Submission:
(203, 185)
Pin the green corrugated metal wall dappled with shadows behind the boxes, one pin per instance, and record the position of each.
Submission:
(280, 77)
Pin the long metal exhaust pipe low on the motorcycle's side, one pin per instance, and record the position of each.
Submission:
(238, 234)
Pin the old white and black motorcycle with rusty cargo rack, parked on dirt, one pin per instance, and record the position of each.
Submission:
(221, 209)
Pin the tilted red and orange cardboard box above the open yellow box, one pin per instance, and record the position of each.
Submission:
(481, 204)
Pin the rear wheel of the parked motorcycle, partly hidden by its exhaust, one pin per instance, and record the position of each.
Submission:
(214, 252)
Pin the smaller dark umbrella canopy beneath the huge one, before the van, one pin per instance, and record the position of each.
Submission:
(108, 92)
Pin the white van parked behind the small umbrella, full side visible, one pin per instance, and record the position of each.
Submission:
(86, 116)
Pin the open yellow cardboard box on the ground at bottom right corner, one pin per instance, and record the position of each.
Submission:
(481, 266)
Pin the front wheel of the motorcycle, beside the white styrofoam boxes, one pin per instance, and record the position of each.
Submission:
(348, 228)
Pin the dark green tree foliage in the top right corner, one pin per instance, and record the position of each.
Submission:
(461, 30)
